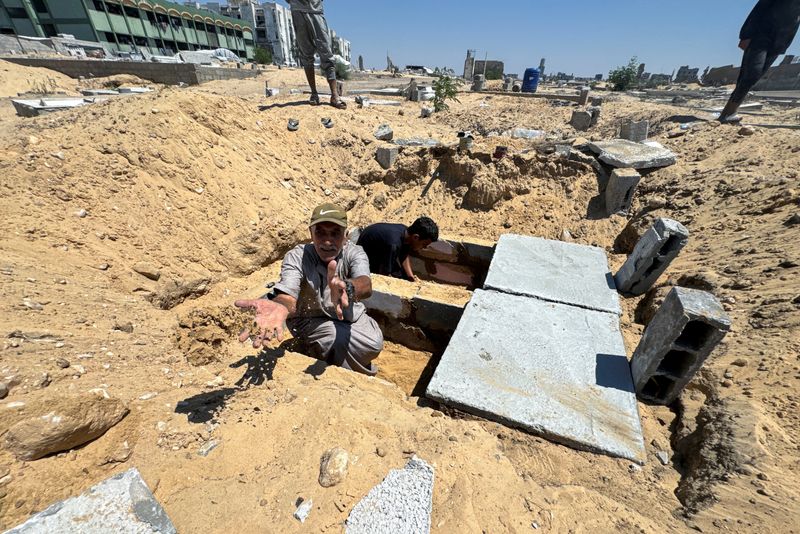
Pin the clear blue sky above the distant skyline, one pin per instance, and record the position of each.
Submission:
(578, 37)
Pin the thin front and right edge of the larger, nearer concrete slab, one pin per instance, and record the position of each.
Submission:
(639, 457)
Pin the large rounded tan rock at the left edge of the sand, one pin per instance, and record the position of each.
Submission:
(70, 422)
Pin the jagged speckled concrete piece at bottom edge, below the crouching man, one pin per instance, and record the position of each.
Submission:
(401, 504)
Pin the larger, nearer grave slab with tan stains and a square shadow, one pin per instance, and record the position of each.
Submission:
(552, 369)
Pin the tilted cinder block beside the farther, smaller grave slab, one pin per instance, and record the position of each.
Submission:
(651, 256)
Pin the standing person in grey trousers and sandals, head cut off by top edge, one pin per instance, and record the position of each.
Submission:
(311, 30)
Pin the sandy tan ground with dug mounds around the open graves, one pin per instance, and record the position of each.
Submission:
(207, 185)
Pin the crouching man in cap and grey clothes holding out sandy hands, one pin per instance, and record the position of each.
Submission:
(319, 298)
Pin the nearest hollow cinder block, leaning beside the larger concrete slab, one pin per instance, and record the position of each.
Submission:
(680, 337)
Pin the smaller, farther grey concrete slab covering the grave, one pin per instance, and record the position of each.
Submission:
(553, 270)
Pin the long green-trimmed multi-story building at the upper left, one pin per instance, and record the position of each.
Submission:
(156, 26)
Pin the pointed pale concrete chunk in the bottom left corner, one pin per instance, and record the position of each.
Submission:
(121, 504)
